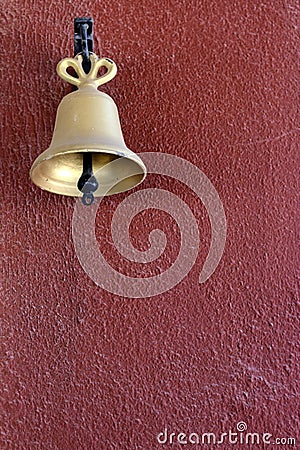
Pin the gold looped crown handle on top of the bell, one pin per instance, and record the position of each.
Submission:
(91, 77)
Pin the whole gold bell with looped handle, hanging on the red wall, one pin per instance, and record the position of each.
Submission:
(87, 137)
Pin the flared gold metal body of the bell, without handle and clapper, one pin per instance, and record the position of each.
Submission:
(87, 120)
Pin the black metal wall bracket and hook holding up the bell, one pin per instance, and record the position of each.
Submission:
(83, 40)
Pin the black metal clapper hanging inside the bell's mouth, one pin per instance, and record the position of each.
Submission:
(87, 182)
